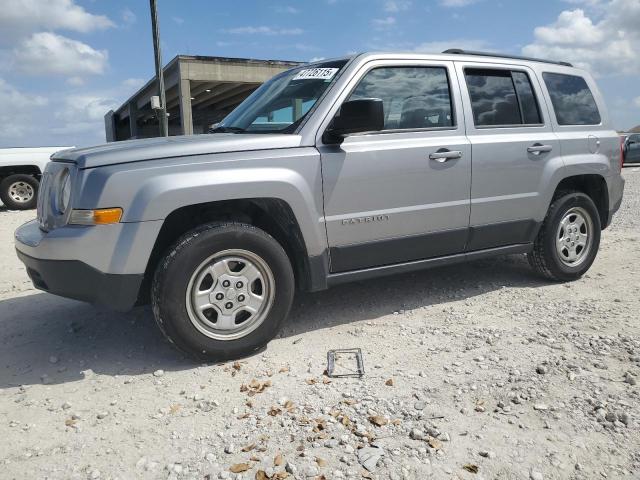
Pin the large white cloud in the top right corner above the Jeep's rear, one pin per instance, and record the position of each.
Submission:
(605, 42)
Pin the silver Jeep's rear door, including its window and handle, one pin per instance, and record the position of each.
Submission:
(514, 152)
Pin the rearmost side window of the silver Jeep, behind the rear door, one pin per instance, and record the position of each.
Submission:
(572, 100)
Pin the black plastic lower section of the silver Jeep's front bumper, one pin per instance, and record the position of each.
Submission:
(77, 280)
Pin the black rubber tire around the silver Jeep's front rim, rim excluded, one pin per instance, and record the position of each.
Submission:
(172, 276)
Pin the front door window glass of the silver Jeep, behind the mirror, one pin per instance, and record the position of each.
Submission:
(412, 97)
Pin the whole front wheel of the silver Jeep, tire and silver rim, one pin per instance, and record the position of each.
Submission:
(222, 291)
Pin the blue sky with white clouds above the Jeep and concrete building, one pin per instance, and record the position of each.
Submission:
(65, 63)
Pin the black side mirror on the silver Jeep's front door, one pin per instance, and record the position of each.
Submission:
(356, 116)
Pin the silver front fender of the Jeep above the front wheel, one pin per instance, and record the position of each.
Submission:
(151, 190)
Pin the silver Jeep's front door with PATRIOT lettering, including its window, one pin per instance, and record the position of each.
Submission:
(400, 194)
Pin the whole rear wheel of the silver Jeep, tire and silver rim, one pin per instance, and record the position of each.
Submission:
(568, 241)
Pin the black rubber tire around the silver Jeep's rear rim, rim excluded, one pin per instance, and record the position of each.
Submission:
(545, 258)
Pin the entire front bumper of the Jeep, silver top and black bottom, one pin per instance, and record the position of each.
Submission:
(102, 264)
